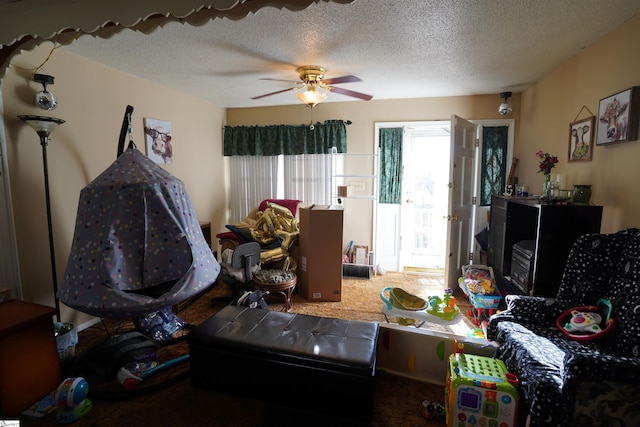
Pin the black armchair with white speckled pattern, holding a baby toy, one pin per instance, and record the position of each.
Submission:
(567, 382)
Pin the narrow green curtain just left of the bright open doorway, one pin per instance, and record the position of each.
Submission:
(390, 165)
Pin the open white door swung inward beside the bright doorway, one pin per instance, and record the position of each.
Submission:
(460, 219)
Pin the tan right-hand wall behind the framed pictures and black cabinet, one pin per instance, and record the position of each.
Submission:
(603, 69)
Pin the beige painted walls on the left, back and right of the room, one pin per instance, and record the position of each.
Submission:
(92, 100)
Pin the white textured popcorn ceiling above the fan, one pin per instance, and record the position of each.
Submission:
(400, 49)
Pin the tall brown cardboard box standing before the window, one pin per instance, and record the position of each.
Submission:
(320, 270)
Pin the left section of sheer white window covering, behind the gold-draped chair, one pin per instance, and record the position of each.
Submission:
(253, 179)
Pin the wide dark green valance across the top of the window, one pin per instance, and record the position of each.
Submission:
(275, 140)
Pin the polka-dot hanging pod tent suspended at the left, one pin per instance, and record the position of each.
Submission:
(137, 246)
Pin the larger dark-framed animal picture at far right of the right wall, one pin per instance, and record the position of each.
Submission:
(618, 117)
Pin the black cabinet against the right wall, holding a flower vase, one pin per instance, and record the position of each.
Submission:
(553, 228)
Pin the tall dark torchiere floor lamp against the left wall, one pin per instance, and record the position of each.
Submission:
(44, 126)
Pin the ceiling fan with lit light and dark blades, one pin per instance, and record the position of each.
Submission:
(312, 79)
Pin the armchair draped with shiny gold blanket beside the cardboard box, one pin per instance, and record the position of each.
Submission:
(274, 225)
